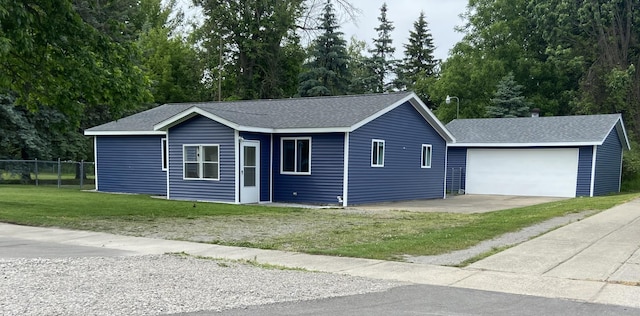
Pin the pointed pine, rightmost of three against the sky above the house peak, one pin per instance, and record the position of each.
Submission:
(419, 60)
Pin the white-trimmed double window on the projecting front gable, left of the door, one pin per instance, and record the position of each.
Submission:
(201, 162)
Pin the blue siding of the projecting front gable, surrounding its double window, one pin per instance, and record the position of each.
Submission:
(199, 131)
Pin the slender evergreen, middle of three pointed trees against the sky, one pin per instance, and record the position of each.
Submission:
(381, 61)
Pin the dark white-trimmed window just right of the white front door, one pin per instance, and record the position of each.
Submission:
(295, 155)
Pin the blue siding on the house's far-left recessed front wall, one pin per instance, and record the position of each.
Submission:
(130, 164)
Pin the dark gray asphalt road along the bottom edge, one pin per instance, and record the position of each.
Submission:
(431, 300)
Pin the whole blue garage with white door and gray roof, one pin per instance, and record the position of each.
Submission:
(563, 156)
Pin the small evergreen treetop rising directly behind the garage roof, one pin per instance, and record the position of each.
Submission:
(508, 100)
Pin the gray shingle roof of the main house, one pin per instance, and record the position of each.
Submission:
(320, 112)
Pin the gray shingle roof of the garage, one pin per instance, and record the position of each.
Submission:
(535, 130)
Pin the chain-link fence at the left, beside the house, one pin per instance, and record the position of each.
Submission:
(45, 172)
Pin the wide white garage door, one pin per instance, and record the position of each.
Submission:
(530, 172)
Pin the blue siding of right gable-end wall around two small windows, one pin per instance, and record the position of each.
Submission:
(404, 131)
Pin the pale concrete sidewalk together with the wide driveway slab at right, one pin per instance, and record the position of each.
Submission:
(594, 260)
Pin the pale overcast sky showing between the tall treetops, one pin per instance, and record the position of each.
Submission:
(441, 15)
